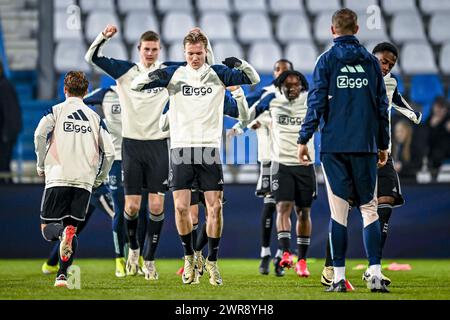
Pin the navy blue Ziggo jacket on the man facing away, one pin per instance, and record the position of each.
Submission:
(348, 99)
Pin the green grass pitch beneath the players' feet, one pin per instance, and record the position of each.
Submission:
(22, 279)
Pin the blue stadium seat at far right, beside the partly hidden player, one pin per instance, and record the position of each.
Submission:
(424, 89)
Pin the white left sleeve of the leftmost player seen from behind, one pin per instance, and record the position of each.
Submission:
(44, 128)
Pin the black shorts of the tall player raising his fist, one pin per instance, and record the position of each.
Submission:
(145, 165)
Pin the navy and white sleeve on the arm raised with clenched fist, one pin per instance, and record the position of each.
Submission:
(113, 67)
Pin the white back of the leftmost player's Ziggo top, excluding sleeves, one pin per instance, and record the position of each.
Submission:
(73, 154)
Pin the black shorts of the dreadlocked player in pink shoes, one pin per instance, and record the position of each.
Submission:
(294, 183)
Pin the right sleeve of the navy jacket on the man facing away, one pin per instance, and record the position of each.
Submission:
(382, 104)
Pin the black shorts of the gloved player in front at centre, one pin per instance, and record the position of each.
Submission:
(202, 165)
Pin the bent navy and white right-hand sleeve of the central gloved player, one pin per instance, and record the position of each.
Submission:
(244, 74)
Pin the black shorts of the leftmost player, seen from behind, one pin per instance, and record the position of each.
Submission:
(59, 203)
